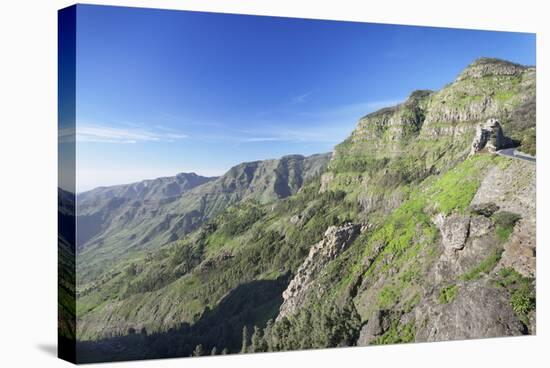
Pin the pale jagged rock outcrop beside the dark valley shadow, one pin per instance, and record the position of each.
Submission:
(335, 241)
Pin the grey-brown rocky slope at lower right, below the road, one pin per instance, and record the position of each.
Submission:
(466, 291)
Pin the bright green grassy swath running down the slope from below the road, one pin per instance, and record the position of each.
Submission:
(407, 238)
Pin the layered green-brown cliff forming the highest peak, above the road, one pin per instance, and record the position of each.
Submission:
(432, 131)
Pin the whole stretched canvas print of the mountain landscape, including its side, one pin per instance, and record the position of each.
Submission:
(419, 225)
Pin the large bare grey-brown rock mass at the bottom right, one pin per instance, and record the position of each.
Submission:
(478, 311)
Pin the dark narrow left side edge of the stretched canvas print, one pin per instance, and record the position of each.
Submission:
(66, 183)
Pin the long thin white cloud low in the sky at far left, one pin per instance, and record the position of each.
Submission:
(98, 133)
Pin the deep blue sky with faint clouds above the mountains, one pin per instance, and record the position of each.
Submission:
(161, 92)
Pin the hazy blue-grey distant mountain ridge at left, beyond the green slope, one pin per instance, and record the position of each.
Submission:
(159, 219)
